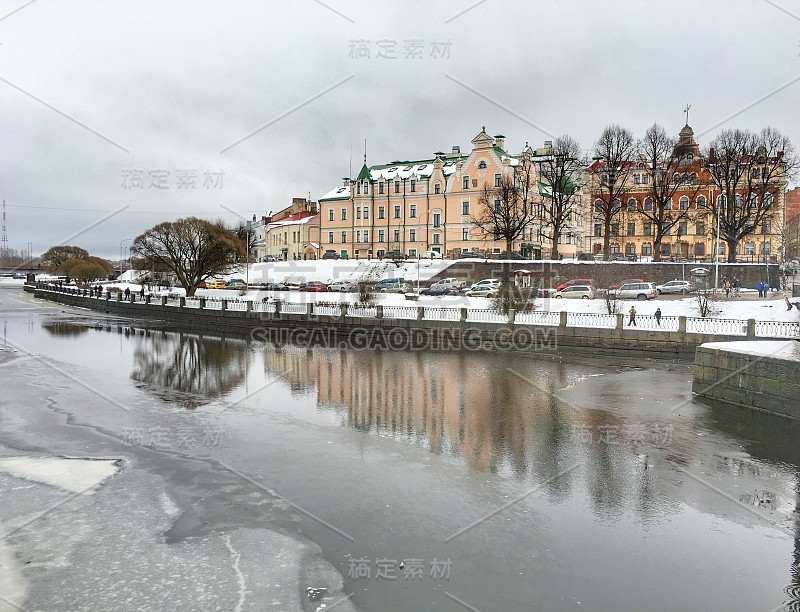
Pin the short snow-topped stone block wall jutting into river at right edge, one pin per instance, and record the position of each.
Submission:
(758, 382)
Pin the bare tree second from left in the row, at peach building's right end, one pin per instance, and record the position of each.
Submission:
(559, 173)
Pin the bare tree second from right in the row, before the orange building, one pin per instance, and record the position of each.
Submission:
(669, 169)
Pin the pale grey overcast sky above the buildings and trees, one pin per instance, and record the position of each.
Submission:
(91, 91)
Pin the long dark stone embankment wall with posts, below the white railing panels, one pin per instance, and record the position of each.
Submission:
(361, 332)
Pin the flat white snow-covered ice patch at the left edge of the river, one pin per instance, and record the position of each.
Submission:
(70, 474)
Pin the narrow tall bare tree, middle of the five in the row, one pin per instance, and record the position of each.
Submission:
(614, 151)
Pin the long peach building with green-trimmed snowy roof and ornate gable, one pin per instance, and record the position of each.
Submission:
(429, 205)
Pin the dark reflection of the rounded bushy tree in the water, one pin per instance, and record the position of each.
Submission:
(187, 369)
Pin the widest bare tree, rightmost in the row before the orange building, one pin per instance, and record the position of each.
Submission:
(750, 171)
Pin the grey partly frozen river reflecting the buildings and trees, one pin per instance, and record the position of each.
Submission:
(394, 480)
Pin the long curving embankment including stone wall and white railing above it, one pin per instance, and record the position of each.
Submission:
(431, 327)
